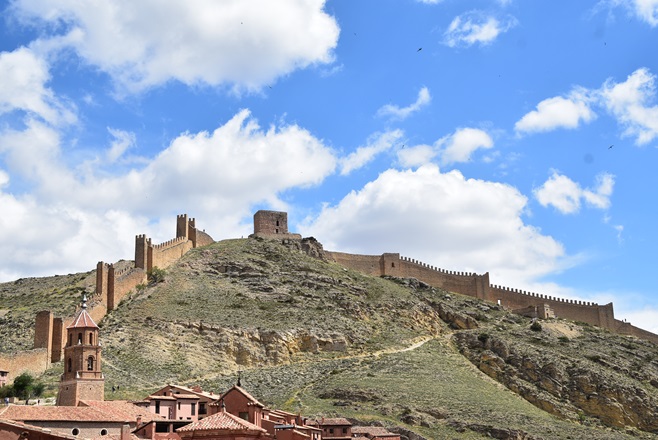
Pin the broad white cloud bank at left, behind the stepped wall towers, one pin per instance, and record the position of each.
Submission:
(219, 176)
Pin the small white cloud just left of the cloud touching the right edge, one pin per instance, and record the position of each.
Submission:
(557, 112)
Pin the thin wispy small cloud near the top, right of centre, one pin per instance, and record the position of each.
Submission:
(476, 28)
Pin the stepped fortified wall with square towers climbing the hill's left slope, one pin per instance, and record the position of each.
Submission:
(112, 286)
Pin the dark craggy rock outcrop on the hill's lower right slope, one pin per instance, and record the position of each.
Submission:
(559, 385)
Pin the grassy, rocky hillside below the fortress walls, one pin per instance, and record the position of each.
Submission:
(312, 336)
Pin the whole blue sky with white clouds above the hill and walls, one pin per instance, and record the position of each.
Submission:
(511, 137)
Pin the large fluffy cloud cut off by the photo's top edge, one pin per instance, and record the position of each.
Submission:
(147, 43)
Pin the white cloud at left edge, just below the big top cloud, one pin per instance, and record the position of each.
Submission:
(23, 87)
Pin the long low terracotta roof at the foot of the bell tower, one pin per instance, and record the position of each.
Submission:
(63, 413)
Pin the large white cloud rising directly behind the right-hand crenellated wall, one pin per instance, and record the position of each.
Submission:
(442, 219)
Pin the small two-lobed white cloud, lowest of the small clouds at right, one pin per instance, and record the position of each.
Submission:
(565, 195)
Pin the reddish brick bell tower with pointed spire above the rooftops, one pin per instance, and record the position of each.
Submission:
(82, 378)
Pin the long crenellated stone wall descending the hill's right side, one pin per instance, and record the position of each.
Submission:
(478, 286)
